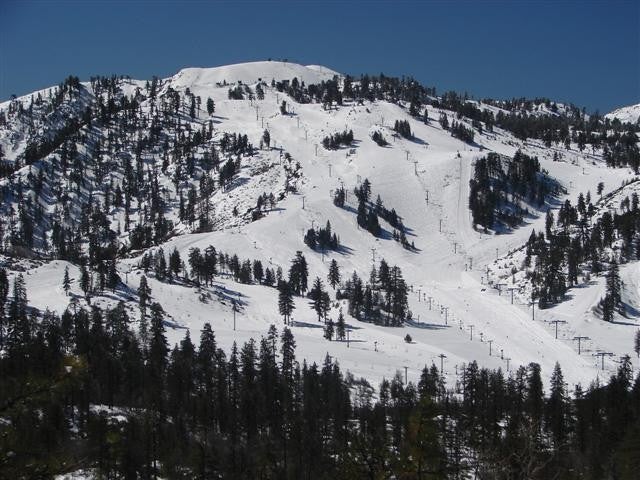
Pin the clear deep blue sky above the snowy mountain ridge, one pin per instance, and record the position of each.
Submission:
(585, 52)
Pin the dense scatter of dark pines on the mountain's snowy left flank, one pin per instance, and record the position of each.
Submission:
(97, 153)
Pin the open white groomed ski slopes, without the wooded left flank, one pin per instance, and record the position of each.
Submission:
(445, 272)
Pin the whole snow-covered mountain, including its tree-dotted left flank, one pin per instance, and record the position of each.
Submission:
(425, 179)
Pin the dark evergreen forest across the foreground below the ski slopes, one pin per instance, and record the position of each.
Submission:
(91, 389)
